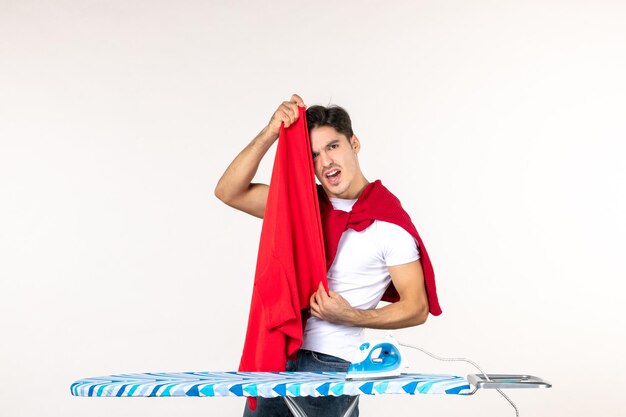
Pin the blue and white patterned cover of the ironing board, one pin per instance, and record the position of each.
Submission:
(262, 384)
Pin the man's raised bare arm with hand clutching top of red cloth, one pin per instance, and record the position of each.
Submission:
(235, 187)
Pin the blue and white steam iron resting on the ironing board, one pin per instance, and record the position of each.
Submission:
(379, 358)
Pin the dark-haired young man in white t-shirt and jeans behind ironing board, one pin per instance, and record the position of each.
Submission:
(365, 263)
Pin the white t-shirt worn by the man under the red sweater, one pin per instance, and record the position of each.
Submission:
(359, 274)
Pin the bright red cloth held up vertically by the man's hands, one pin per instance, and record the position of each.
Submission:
(291, 260)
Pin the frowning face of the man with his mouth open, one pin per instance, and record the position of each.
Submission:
(335, 161)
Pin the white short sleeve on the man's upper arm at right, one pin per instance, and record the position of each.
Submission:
(398, 246)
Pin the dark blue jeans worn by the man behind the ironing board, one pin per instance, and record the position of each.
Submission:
(308, 361)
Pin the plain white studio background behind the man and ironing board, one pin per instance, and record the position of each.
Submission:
(500, 125)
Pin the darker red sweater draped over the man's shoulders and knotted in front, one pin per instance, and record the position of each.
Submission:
(376, 202)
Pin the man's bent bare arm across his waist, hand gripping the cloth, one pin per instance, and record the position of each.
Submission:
(410, 310)
